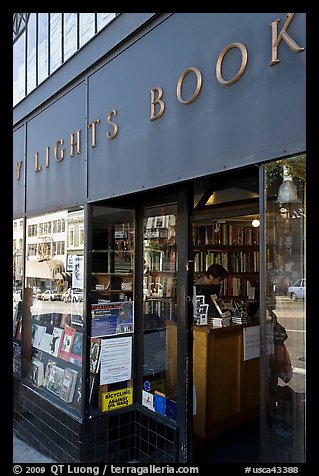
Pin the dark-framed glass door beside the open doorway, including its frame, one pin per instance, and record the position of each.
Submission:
(166, 384)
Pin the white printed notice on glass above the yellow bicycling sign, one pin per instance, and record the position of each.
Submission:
(116, 360)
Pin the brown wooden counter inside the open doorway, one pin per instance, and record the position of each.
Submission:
(227, 387)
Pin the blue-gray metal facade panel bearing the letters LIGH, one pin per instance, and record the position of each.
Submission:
(62, 184)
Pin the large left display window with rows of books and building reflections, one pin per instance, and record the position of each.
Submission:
(52, 331)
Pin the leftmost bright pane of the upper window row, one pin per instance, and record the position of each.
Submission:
(19, 69)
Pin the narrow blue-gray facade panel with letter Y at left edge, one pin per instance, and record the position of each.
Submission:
(18, 185)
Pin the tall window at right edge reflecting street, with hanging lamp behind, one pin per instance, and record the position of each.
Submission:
(285, 313)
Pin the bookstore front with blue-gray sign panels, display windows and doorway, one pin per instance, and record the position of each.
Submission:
(117, 156)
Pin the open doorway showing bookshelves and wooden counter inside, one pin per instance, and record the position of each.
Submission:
(226, 318)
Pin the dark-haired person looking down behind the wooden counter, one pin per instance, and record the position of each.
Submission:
(211, 283)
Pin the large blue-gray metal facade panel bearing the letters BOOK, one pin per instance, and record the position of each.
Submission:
(262, 116)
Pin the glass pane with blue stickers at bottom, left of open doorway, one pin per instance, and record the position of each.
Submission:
(159, 309)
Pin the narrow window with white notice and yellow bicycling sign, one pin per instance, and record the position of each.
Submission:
(112, 309)
